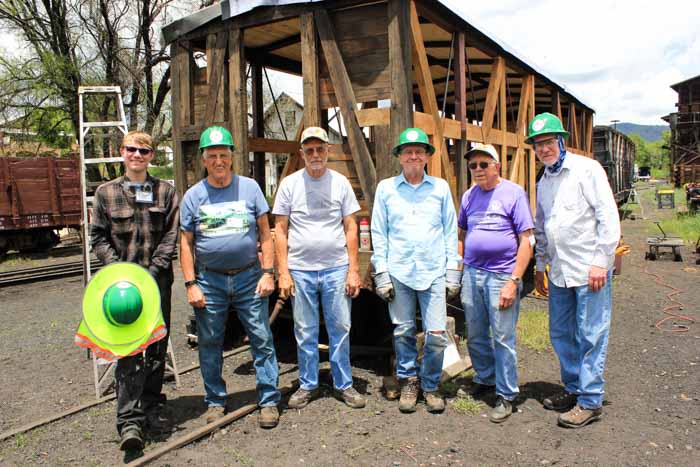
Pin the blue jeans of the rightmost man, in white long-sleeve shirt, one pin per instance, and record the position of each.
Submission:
(579, 325)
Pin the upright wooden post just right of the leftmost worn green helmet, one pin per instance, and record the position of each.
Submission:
(238, 101)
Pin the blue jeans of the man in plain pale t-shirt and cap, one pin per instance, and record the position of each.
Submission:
(327, 288)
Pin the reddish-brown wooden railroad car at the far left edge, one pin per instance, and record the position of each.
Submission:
(38, 197)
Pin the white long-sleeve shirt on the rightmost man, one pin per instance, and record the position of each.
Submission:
(577, 224)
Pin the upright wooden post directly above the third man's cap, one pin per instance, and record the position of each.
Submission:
(309, 69)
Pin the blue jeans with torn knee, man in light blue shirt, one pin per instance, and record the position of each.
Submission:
(433, 310)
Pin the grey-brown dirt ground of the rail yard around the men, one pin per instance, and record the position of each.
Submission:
(651, 413)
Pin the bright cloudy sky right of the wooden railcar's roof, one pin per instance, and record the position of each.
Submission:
(618, 57)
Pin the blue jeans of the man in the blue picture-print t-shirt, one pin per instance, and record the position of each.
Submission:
(222, 291)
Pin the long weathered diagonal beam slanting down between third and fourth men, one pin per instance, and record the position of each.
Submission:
(348, 106)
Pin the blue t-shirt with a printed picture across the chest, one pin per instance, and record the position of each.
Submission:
(224, 222)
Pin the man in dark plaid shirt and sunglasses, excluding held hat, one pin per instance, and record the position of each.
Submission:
(135, 219)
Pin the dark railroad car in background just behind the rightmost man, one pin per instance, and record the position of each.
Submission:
(616, 153)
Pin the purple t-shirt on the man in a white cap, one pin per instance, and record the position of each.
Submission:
(493, 220)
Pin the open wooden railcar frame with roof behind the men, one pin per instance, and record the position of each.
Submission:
(384, 65)
